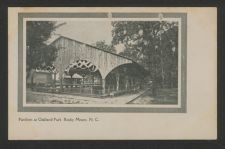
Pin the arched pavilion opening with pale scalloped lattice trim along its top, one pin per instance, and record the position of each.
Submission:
(82, 77)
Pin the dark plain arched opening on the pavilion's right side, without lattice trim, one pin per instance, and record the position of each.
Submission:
(126, 78)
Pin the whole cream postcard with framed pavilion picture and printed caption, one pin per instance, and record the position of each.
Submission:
(112, 73)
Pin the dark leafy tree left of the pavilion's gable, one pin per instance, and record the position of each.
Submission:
(38, 53)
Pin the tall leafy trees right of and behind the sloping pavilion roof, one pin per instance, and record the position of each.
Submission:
(153, 44)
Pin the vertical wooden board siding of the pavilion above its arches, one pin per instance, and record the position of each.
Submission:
(74, 50)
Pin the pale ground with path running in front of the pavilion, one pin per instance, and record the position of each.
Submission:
(164, 96)
